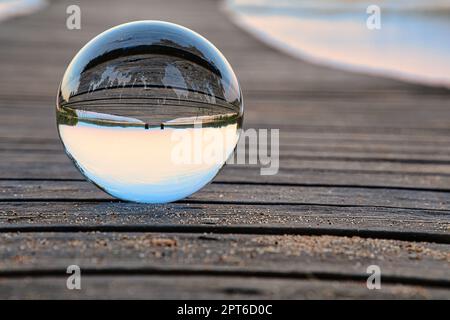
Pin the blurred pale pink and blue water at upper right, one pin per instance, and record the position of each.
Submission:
(413, 42)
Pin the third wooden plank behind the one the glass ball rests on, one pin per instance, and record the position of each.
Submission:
(291, 147)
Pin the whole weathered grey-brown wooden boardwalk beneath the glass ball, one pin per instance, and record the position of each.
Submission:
(364, 179)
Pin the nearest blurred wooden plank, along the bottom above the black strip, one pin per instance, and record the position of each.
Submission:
(199, 287)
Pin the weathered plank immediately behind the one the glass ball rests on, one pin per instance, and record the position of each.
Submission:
(245, 193)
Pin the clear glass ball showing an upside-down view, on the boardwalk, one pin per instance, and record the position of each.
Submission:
(149, 111)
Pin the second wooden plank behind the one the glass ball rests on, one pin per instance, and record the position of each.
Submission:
(52, 169)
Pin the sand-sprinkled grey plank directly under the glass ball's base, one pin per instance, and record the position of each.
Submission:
(375, 222)
